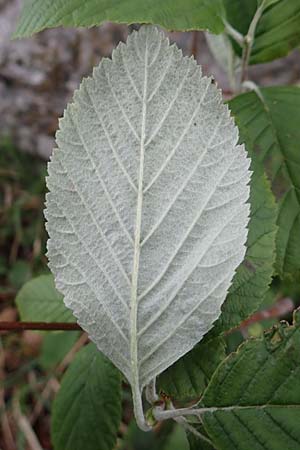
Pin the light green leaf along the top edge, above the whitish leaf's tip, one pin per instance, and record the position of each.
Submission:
(170, 14)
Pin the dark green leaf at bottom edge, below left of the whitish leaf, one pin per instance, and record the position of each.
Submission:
(87, 410)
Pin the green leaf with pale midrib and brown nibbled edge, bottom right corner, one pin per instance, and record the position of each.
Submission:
(255, 394)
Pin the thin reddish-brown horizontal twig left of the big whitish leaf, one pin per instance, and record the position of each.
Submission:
(43, 326)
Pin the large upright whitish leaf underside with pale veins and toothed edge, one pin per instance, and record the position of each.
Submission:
(147, 212)
